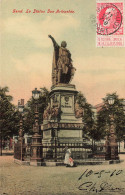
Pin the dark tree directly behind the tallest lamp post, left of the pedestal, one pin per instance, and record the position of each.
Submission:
(30, 108)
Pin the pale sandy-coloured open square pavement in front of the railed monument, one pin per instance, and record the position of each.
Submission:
(28, 180)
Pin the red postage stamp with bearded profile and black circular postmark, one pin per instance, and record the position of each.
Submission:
(110, 23)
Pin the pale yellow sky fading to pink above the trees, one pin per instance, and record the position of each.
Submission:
(26, 52)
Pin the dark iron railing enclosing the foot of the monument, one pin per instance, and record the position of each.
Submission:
(56, 151)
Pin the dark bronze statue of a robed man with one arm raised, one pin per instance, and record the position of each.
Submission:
(62, 68)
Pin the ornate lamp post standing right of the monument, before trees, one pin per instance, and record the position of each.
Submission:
(112, 143)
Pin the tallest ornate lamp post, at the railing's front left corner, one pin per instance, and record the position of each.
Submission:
(36, 146)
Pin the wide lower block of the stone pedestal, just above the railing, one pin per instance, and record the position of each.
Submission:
(72, 134)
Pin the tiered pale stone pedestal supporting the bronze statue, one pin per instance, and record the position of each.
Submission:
(60, 116)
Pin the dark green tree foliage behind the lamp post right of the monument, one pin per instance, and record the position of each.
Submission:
(103, 119)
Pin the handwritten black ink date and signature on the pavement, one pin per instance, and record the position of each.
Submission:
(97, 185)
